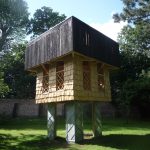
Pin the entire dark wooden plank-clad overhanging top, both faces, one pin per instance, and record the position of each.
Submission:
(71, 35)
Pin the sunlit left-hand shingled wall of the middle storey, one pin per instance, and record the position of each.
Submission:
(60, 82)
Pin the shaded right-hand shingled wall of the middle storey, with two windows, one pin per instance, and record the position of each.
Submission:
(91, 80)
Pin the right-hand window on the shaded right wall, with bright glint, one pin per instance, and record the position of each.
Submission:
(100, 72)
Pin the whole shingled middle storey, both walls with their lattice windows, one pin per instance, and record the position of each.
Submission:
(73, 78)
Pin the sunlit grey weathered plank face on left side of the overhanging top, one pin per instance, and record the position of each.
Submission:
(51, 44)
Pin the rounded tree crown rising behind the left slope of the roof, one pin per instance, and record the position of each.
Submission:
(43, 19)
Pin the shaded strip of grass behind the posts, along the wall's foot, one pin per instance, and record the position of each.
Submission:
(41, 124)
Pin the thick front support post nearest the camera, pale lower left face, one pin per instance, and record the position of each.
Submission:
(74, 122)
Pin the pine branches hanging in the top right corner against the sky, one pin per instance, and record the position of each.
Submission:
(134, 11)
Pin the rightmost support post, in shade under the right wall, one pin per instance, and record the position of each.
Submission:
(96, 119)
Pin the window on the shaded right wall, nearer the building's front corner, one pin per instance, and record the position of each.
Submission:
(86, 76)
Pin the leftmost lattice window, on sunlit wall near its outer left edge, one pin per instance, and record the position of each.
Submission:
(45, 81)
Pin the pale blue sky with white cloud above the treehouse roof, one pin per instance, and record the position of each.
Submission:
(96, 13)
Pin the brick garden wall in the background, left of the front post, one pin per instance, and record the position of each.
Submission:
(25, 108)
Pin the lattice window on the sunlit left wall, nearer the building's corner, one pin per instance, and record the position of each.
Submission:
(59, 75)
